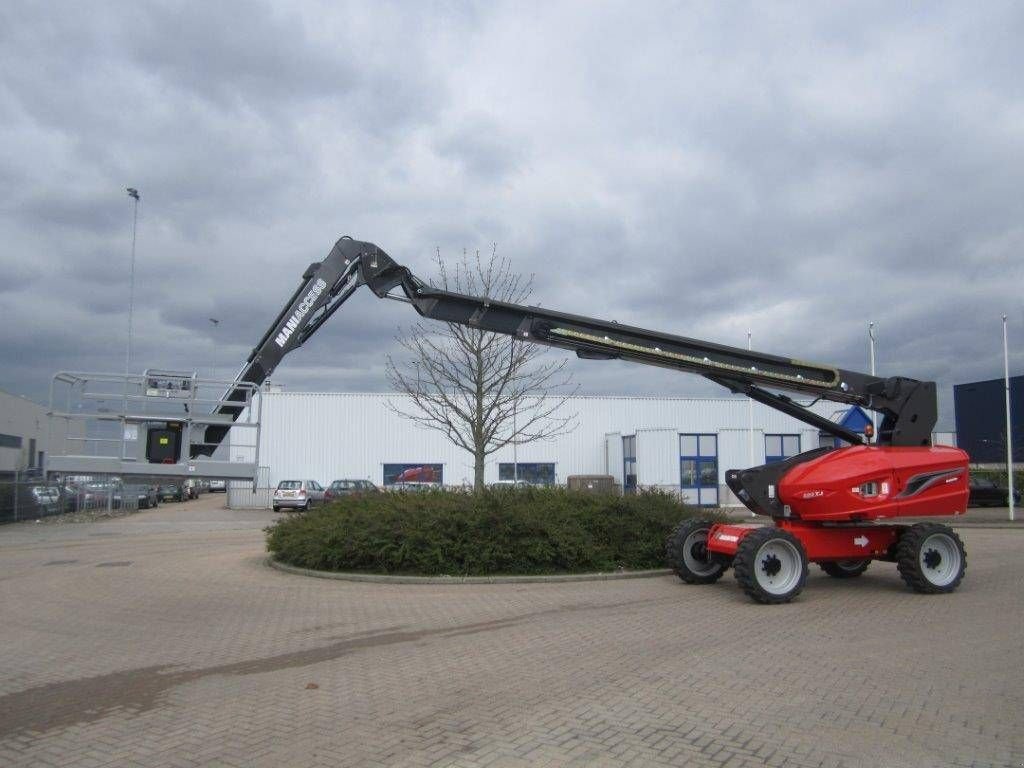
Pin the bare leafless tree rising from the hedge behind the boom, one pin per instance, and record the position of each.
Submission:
(483, 391)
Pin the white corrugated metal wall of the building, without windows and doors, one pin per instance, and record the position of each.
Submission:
(325, 437)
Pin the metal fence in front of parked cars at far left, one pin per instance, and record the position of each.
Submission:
(33, 498)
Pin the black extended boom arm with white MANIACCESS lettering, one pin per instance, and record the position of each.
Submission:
(909, 407)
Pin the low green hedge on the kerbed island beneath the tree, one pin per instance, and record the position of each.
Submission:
(532, 531)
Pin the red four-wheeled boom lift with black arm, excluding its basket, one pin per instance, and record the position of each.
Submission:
(827, 505)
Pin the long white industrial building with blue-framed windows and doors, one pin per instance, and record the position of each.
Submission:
(684, 445)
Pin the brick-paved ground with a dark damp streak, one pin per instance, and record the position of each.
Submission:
(163, 641)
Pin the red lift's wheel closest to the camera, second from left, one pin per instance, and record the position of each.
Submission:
(772, 566)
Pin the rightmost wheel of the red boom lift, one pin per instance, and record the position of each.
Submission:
(931, 559)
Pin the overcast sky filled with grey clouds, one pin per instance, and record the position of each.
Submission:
(703, 169)
